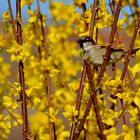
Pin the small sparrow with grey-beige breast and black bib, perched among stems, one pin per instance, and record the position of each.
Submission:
(96, 52)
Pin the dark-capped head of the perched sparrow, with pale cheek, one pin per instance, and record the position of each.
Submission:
(85, 41)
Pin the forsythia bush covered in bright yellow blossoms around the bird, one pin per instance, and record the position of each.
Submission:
(55, 52)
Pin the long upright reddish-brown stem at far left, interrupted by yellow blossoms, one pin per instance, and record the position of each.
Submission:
(21, 74)
